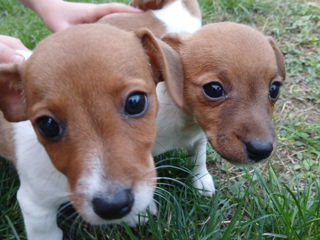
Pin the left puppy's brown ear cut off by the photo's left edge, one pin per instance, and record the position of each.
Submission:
(12, 102)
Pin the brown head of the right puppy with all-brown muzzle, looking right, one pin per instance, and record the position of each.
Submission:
(232, 78)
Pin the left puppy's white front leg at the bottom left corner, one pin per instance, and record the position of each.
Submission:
(39, 215)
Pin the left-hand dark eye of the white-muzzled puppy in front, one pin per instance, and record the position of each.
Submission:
(49, 128)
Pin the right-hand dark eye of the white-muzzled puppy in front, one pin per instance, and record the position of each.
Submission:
(136, 104)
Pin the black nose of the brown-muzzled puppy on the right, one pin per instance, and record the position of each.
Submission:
(258, 151)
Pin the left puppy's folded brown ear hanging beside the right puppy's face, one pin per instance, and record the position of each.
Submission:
(165, 63)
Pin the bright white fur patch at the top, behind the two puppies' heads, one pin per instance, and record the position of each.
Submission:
(177, 18)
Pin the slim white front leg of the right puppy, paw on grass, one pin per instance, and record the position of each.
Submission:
(202, 179)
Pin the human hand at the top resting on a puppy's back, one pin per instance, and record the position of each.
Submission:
(59, 15)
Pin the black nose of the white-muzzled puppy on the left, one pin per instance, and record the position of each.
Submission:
(114, 208)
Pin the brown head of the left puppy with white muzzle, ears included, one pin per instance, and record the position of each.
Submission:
(89, 92)
